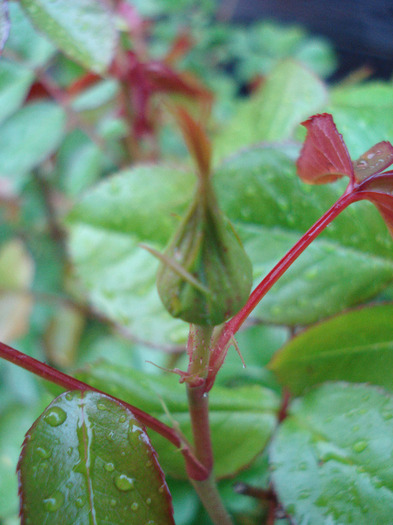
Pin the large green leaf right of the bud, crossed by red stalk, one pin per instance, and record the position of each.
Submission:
(271, 208)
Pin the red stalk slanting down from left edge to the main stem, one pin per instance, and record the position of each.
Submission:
(194, 468)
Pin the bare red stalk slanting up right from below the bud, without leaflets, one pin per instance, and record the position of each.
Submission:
(232, 326)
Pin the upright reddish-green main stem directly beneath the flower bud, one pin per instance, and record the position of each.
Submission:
(198, 400)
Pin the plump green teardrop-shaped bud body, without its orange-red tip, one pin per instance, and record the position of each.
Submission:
(206, 247)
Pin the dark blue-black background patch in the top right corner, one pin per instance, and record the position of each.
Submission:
(360, 30)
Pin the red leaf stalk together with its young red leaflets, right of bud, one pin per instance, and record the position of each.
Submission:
(323, 158)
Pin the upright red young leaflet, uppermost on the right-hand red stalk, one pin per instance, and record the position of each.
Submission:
(324, 156)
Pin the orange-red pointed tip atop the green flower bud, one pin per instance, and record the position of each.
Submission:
(197, 142)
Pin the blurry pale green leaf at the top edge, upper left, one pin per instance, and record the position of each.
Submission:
(83, 29)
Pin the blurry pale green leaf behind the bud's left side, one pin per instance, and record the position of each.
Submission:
(106, 227)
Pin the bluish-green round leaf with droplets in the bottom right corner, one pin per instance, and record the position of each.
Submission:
(331, 458)
